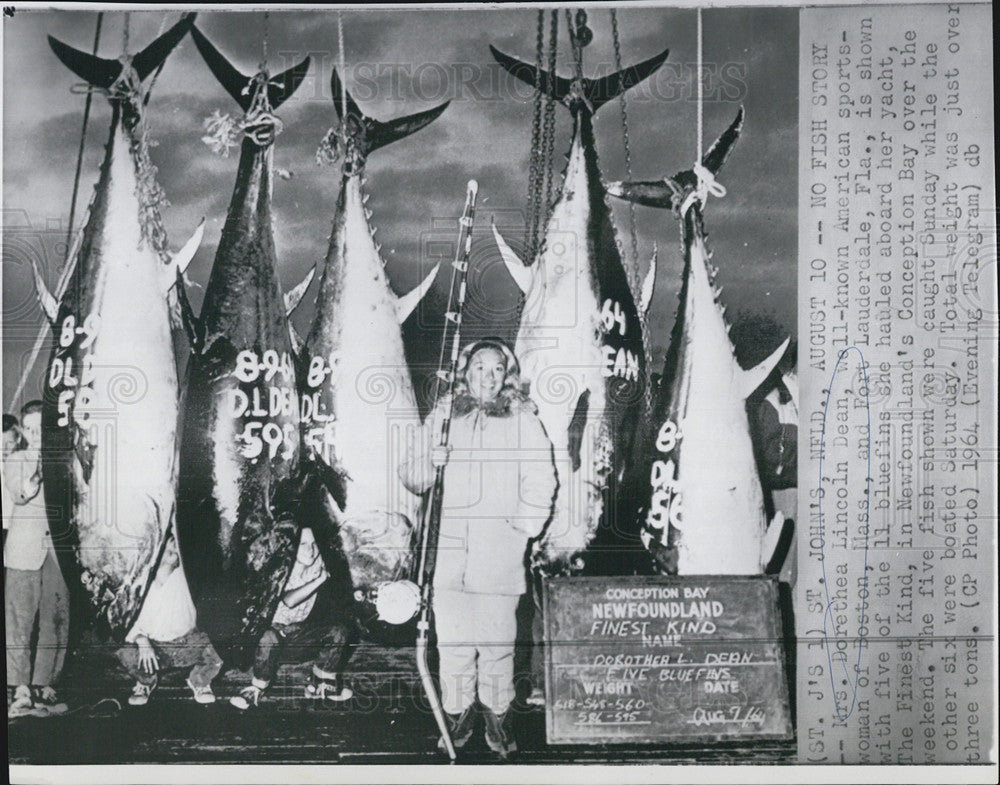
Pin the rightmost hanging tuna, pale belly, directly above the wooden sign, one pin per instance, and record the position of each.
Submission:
(701, 508)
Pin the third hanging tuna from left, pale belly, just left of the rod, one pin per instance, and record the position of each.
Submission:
(358, 402)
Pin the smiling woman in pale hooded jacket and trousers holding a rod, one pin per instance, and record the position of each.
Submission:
(499, 485)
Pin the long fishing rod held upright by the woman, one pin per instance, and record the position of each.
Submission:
(432, 521)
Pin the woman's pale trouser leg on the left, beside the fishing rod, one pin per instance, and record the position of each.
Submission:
(453, 622)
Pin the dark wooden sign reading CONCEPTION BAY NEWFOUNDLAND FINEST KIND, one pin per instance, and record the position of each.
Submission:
(660, 659)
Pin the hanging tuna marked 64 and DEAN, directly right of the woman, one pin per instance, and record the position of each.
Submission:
(580, 339)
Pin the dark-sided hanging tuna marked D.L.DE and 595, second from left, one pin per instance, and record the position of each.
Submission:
(239, 466)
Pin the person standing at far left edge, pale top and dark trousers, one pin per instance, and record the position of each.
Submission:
(34, 588)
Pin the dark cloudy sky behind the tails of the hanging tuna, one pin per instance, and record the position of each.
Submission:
(399, 62)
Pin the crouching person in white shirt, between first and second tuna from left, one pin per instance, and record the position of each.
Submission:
(165, 636)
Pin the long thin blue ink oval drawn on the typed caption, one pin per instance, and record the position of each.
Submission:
(848, 678)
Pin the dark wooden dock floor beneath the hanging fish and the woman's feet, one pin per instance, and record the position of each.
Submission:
(387, 721)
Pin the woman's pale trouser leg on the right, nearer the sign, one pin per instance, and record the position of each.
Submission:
(496, 630)
